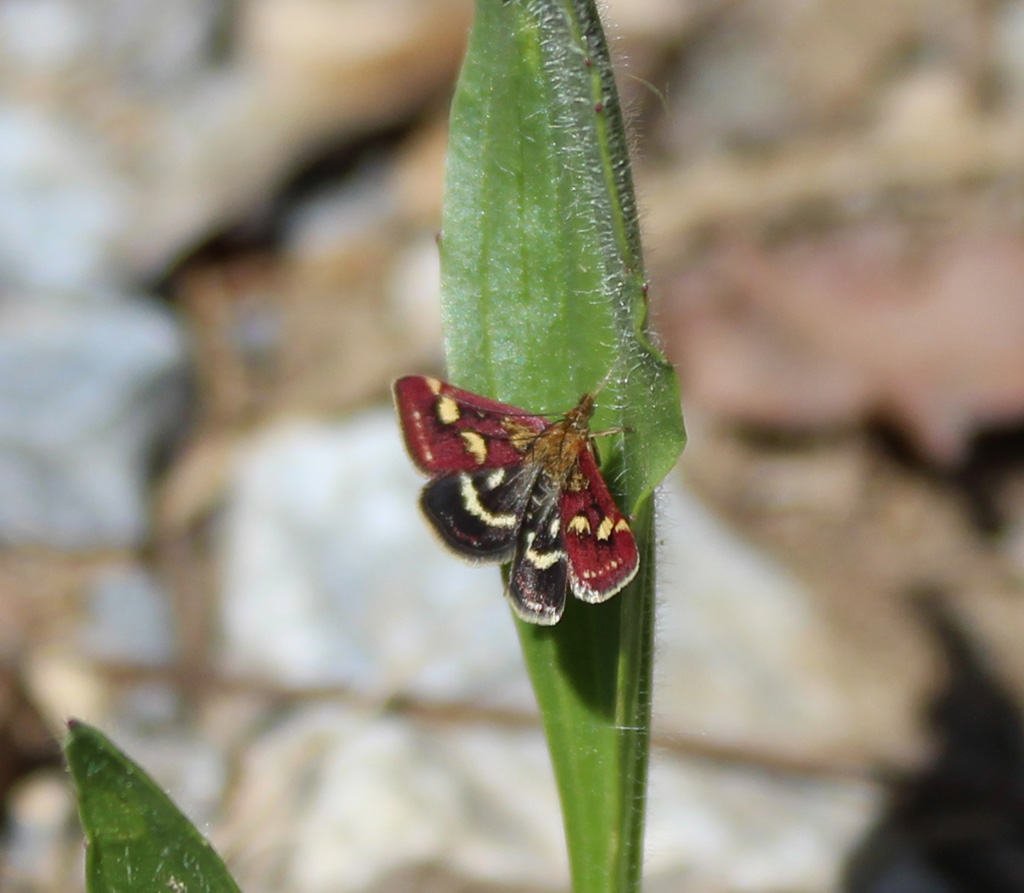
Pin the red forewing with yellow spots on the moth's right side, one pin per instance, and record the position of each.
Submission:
(600, 544)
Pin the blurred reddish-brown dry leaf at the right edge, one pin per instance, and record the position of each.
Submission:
(828, 331)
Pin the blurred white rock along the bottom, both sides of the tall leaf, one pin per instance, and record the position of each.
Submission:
(380, 794)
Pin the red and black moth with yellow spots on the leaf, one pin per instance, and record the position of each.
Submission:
(507, 486)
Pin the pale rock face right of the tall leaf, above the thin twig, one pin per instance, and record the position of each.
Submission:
(742, 654)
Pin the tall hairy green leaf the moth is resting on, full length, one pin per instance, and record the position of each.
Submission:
(544, 299)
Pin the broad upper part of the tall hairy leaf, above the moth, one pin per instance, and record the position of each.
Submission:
(542, 274)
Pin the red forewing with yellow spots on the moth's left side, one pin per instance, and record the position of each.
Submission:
(449, 430)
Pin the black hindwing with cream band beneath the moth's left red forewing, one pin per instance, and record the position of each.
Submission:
(478, 515)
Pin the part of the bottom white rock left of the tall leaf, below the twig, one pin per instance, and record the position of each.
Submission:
(381, 794)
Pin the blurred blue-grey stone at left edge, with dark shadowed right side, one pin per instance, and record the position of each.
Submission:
(88, 390)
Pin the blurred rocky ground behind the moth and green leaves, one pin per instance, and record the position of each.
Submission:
(218, 248)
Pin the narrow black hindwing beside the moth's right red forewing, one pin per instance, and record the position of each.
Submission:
(539, 575)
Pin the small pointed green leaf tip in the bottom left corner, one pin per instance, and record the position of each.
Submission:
(139, 841)
